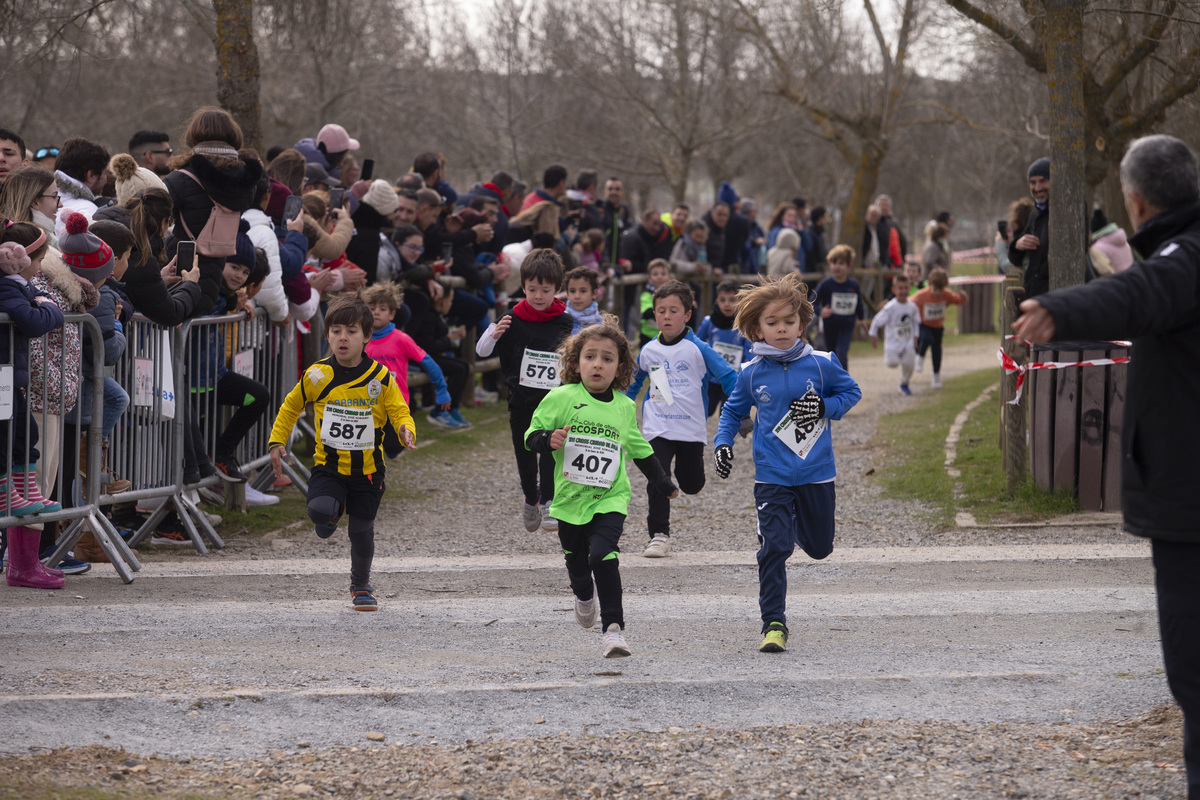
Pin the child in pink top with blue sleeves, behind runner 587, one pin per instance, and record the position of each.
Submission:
(397, 350)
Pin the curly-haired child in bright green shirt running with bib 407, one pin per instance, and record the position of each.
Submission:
(589, 425)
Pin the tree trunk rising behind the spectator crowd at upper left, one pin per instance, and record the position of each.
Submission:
(238, 68)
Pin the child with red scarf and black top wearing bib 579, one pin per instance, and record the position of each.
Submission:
(527, 342)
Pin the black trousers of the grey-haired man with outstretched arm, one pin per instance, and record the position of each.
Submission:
(1177, 567)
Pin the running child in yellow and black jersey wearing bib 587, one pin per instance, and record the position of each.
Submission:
(355, 399)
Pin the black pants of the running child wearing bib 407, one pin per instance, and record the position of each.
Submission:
(591, 551)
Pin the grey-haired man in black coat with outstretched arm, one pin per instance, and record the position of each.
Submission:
(1156, 303)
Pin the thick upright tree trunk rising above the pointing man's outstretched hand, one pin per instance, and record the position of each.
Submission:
(1069, 184)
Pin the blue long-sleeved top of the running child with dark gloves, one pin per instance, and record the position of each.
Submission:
(771, 386)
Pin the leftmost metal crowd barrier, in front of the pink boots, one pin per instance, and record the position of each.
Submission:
(61, 432)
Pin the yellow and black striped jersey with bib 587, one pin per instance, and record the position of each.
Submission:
(352, 406)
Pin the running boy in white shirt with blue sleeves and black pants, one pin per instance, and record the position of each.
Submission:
(675, 410)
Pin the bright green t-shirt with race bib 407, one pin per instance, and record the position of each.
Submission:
(590, 471)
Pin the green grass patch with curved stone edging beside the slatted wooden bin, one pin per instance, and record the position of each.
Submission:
(917, 441)
